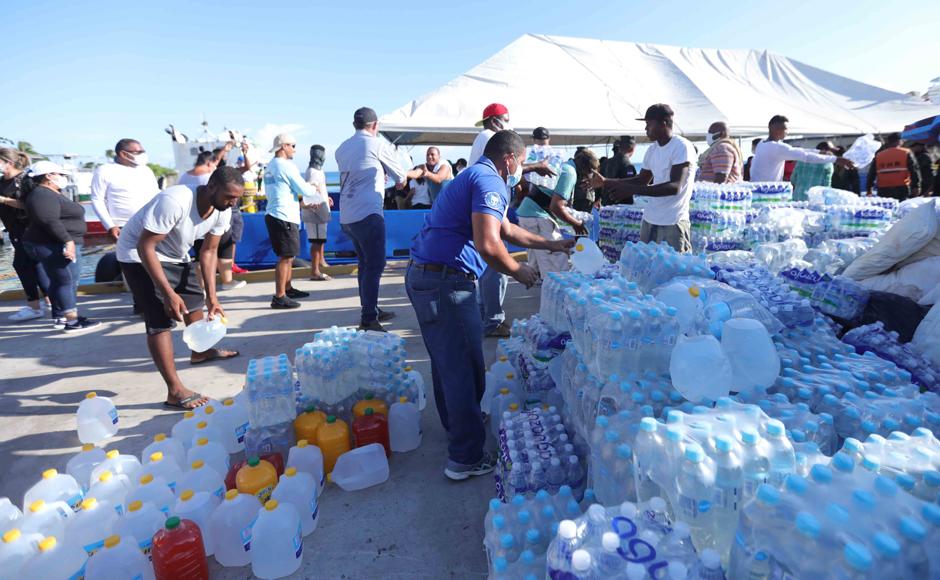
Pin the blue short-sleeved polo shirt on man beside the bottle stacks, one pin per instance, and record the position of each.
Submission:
(447, 235)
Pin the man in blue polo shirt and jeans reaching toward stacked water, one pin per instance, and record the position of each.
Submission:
(462, 236)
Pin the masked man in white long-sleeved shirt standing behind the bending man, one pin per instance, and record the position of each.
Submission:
(121, 188)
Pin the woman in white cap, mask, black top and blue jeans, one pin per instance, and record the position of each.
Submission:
(54, 238)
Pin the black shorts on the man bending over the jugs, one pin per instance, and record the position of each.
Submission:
(182, 278)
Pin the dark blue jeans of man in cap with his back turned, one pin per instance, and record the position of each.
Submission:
(368, 237)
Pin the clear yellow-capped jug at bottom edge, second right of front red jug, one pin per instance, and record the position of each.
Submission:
(276, 541)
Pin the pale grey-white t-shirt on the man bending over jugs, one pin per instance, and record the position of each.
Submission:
(172, 212)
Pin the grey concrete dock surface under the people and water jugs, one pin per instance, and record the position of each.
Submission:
(418, 524)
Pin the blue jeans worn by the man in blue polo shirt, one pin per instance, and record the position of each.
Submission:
(448, 313)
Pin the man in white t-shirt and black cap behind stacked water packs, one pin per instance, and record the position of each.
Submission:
(666, 179)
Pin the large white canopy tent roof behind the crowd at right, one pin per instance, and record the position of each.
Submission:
(586, 91)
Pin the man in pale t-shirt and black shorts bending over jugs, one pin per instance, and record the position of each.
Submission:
(153, 251)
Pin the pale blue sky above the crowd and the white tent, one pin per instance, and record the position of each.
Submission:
(76, 76)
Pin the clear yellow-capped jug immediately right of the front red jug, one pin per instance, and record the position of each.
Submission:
(230, 528)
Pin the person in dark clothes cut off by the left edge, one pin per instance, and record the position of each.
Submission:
(13, 215)
